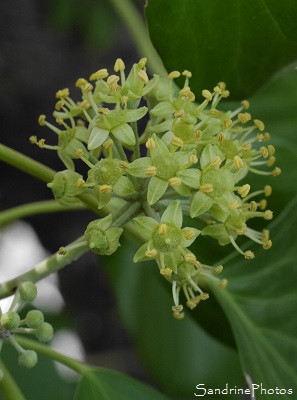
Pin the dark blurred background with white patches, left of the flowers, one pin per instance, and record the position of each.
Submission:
(46, 46)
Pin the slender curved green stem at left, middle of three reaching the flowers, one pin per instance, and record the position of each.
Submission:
(38, 207)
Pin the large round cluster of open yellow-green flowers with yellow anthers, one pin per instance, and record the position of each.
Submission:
(190, 158)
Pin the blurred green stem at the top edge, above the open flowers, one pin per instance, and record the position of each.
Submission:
(136, 26)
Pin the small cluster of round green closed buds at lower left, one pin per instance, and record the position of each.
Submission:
(33, 324)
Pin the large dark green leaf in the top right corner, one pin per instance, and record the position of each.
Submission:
(243, 43)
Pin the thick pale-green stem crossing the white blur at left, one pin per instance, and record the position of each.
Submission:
(46, 267)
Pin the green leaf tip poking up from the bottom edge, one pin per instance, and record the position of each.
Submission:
(100, 383)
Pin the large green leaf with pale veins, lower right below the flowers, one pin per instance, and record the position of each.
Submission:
(260, 302)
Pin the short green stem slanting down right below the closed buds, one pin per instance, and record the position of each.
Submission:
(47, 351)
